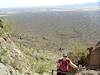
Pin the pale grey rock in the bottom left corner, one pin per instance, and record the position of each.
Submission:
(6, 70)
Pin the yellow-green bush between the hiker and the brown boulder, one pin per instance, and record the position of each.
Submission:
(76, 51)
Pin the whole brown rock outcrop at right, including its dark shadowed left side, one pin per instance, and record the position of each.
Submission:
(92, 61)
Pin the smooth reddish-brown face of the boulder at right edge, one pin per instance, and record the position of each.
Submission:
(93, 59)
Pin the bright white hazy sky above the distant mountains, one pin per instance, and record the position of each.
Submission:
(34, 3)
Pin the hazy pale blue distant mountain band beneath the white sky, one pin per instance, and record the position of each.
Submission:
(88, 6)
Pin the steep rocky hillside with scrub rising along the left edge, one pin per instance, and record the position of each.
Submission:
(11, 57)
